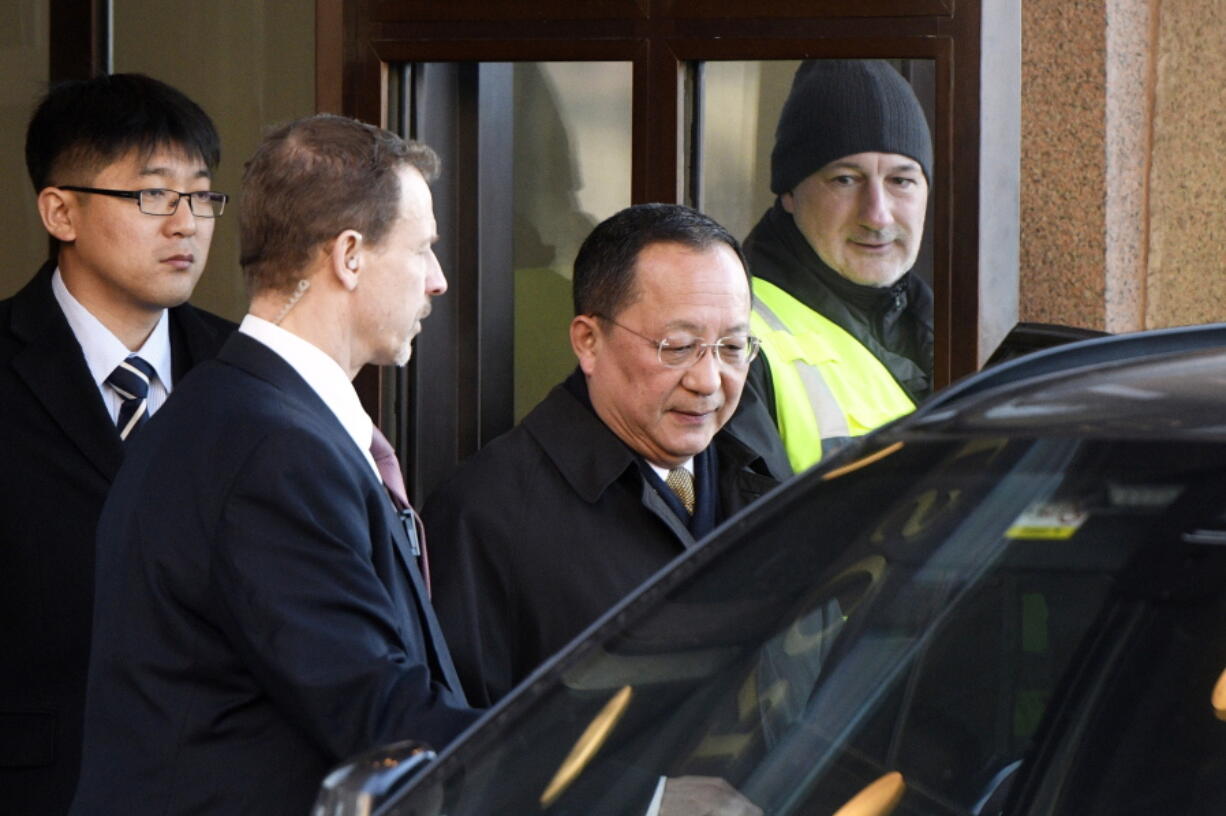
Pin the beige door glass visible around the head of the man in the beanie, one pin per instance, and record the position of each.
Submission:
(741, 102)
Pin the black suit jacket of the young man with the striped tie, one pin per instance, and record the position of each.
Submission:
(59, 453)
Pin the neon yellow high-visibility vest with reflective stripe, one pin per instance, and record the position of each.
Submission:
(828, 387)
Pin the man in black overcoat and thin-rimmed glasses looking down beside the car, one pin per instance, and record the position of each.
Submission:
(552, 524)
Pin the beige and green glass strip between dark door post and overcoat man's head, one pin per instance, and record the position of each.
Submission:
(572, 170)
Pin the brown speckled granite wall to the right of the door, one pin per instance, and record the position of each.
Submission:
(1124, 129)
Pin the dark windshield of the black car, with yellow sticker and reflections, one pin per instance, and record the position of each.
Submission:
(994, 625)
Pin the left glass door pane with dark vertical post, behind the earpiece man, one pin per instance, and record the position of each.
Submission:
(534, 156)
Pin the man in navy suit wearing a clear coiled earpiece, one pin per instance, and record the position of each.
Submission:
(261, 614)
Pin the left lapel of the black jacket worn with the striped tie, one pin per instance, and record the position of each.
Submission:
(53, 368)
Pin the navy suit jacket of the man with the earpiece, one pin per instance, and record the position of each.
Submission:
(259, 616)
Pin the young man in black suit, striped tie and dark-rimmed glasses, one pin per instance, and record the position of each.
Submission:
(106, 157)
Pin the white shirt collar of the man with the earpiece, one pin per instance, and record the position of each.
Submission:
(323, 374)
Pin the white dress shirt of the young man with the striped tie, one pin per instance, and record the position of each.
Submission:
(105, 352)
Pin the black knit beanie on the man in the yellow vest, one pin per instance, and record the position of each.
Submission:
(839, 108)
